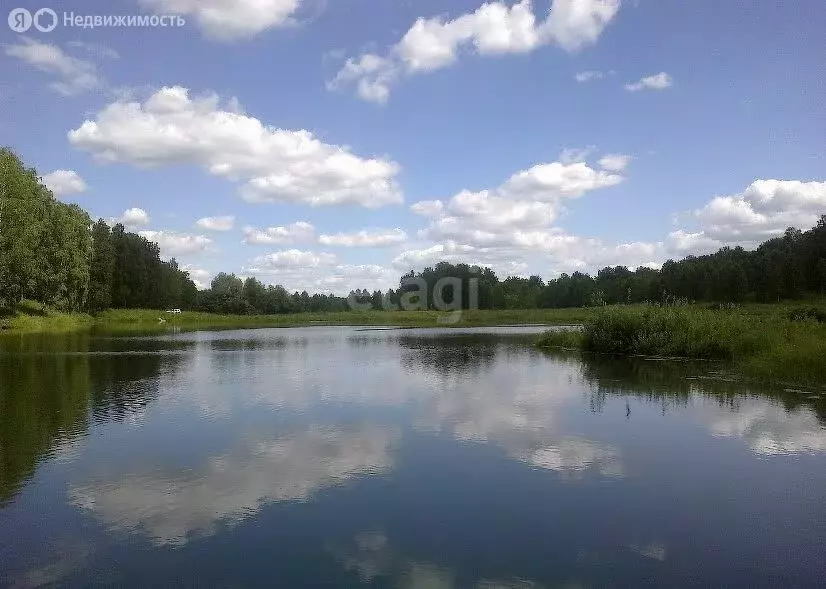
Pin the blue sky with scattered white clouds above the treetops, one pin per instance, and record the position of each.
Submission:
(332, 145)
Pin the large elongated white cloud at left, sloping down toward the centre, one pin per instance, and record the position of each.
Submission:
(277, 164)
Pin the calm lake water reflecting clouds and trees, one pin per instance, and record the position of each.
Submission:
(403, 458)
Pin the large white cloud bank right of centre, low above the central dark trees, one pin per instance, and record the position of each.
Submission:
(511, 228)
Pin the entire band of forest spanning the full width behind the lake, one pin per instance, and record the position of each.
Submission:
(52, 253)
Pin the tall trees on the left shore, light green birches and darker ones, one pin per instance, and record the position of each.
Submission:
(50, 252)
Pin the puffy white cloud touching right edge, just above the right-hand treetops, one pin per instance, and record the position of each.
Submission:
(765, 209)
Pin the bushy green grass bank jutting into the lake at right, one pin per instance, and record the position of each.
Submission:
(774, 342)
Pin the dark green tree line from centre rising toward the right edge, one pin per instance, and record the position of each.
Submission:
(789, 267)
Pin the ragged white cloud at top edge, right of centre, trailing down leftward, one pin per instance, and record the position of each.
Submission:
(495, 28)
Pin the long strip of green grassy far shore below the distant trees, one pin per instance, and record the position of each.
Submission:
(28, 319)
